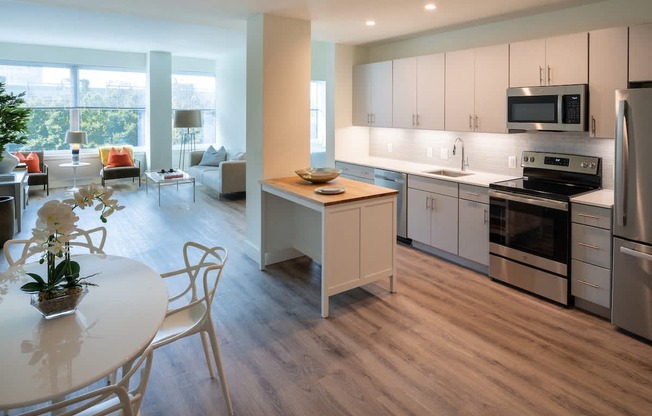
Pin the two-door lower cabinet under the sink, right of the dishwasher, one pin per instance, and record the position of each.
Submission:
(433, 212)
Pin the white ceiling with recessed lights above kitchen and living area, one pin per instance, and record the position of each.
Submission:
(203, 27)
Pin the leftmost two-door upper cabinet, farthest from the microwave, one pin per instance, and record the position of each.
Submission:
(372, 94)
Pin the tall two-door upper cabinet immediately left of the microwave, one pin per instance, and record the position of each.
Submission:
(476, 81)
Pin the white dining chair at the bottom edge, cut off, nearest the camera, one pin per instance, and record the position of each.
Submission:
(122, 398)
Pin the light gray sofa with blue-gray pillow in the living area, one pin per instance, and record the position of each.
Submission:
(226, 178)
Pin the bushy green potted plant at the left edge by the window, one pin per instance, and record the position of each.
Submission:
(13, 126)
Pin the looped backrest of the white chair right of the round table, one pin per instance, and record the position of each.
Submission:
(207, 262)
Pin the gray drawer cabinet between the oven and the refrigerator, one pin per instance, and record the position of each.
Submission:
(591, 256)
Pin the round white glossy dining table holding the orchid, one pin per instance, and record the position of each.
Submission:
(43, 360)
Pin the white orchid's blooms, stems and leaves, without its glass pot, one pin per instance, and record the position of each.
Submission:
(55, 227)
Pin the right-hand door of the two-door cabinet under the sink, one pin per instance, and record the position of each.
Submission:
(443, 222)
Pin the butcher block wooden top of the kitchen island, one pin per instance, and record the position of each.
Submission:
(355, 191)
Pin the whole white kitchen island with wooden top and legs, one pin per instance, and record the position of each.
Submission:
(351, 234)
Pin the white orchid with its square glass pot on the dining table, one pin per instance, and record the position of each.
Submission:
(60, 290)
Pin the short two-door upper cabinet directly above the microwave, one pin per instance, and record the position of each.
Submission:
(558, 60)
